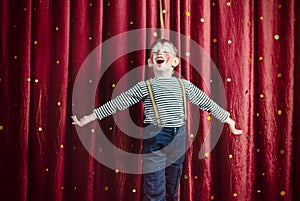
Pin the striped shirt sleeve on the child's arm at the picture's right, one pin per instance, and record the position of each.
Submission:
(200, 99)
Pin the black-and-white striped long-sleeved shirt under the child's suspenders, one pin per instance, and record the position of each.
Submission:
(169, 101)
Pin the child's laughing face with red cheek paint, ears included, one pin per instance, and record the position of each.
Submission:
(163, 57)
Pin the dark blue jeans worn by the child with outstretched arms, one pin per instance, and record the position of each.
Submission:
(163, 155)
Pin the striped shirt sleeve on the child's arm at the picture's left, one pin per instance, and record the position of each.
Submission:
(122, 101)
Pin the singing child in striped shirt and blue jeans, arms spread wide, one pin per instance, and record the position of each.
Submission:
(164, 98)
